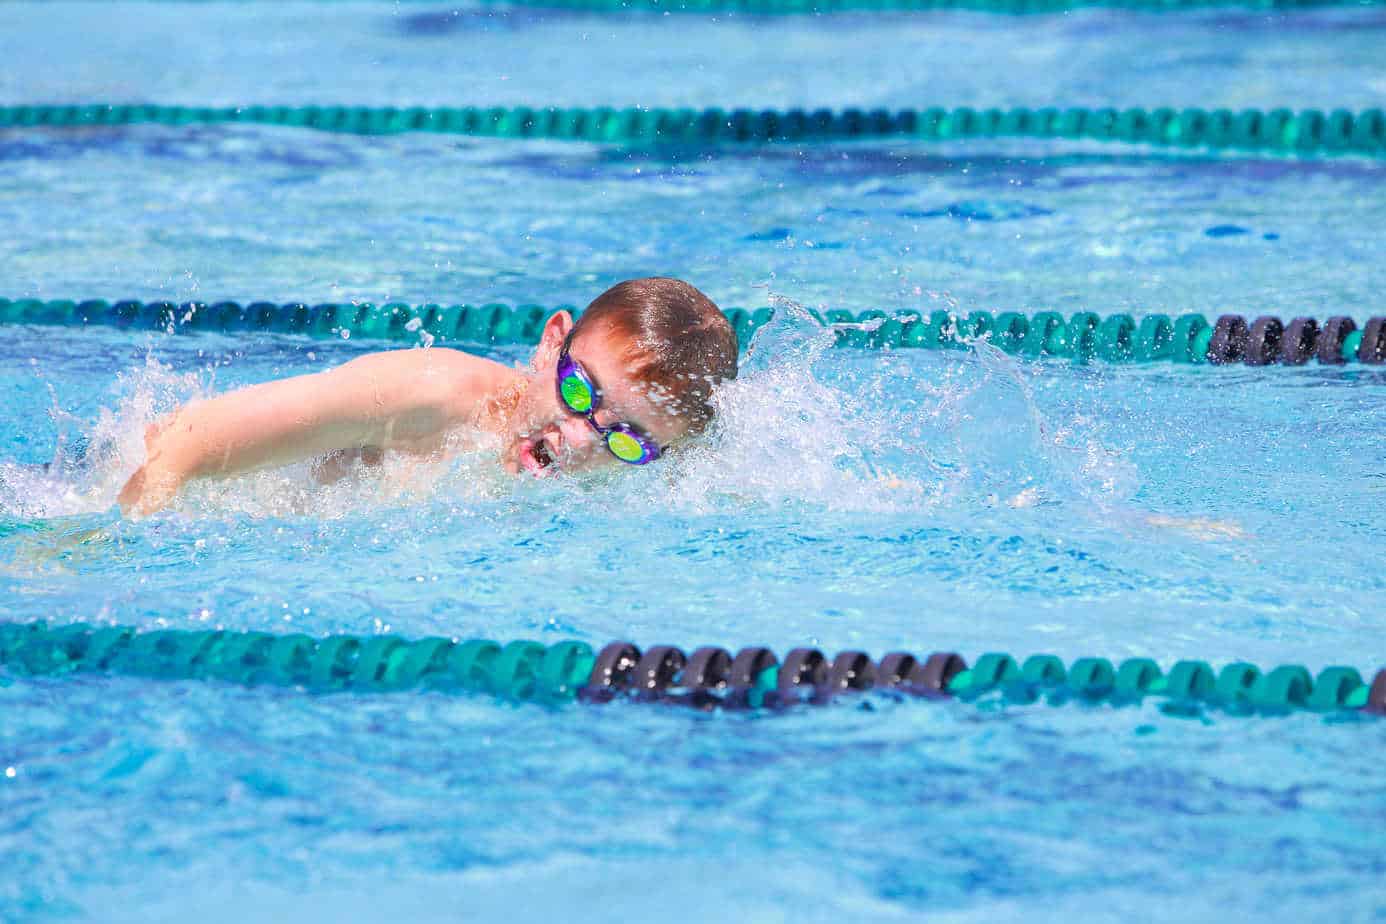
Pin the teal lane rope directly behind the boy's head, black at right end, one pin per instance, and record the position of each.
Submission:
(1190, 339)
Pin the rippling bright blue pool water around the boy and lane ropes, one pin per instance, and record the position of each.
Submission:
(846, 499)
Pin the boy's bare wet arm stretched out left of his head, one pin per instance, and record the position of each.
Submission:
(385, 401)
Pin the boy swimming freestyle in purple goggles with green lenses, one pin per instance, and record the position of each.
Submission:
(623, 384)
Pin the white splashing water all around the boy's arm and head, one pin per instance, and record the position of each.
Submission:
(805, 423)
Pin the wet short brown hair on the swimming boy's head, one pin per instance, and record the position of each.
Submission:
(677, 341)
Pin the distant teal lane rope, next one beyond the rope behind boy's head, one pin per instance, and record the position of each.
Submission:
(1276, 132)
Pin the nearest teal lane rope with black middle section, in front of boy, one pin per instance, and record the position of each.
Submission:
(710, 678)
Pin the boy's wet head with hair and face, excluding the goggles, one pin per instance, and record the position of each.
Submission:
(655, 348)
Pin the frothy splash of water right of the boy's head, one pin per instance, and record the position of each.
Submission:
(892, 433)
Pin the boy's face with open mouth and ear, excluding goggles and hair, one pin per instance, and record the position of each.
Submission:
(547, 436)
